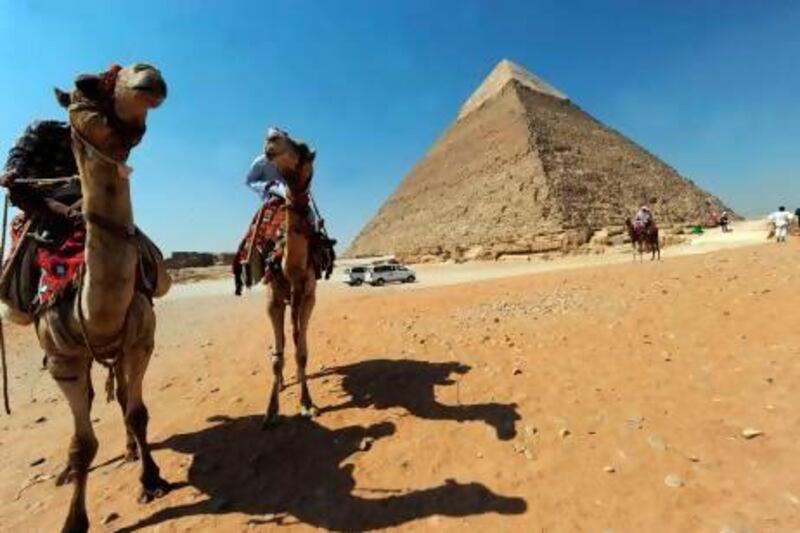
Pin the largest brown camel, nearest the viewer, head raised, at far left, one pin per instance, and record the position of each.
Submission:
(106, 319)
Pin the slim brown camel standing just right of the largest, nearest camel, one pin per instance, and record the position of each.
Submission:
(296, 283)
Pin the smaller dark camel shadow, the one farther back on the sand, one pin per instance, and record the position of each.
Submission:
(409, 384)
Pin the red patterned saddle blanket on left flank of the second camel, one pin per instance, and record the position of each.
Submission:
(263, 240)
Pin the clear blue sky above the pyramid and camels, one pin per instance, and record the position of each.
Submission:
(711, 87)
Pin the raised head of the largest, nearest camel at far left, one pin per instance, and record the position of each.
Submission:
(109, 109)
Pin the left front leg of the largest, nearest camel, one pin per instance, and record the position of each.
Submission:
(72, 376)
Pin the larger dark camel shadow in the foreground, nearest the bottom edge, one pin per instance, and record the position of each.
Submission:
(294, 474)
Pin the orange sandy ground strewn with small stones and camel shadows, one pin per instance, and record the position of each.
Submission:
(610, 397)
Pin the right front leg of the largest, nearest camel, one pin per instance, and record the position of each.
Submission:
(134, 364)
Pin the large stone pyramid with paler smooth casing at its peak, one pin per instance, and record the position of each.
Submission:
(524, 170)
